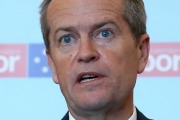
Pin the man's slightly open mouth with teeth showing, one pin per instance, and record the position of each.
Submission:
(87, 77)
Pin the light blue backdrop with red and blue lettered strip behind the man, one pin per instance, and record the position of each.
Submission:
(27, 91)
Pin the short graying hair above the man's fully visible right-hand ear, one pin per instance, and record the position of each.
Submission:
(135, 15)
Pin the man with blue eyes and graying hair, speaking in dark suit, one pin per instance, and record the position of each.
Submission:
(95, 49)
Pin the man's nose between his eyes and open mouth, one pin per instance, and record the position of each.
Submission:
(87, 52)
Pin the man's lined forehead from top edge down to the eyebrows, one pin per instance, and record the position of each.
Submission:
(83, 13)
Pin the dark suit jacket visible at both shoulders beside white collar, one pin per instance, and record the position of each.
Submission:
(140, 116)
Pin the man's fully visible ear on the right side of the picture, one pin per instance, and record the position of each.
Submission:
(144, 47)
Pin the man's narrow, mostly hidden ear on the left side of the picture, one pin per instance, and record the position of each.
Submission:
(52, 67)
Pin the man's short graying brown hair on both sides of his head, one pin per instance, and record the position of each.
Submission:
(134, 14)
